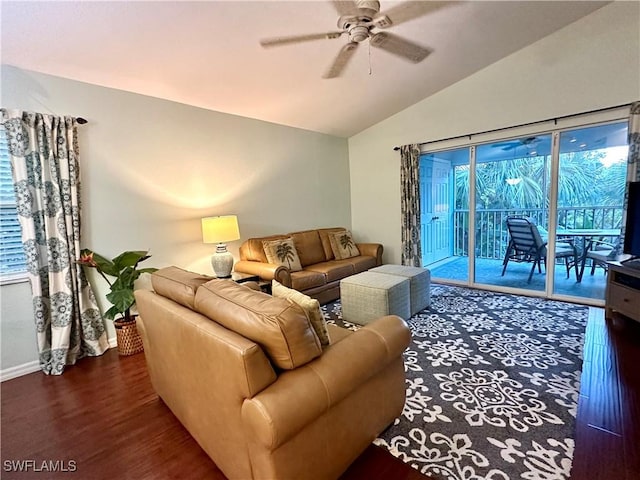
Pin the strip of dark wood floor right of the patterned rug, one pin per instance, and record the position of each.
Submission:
(608, 422)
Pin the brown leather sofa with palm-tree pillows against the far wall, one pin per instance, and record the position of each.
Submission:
(321, 272)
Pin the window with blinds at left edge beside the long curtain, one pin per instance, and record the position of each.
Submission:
(12, 261)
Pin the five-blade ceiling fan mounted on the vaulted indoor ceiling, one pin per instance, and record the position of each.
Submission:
(358, 19)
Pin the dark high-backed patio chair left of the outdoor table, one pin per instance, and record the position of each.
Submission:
(527, 245)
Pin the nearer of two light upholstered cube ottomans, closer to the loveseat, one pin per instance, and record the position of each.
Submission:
(370, 295)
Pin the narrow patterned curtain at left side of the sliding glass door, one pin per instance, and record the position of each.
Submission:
(410, 205)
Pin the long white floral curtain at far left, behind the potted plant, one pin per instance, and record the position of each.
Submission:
(43, 150)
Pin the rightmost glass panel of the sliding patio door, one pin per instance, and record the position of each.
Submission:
(591, 180)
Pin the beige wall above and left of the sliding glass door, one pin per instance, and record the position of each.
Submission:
(590, 64)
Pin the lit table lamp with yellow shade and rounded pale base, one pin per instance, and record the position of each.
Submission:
(220, 230)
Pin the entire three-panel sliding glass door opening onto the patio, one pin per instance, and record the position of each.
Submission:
(569, 182)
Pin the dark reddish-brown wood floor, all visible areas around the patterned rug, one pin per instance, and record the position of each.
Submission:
(103, 417)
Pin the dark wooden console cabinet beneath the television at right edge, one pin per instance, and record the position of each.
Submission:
(623, 291)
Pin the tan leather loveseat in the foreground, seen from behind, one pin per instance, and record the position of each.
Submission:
(246, 375)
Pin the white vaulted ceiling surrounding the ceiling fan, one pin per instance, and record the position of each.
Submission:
(208, 54)
